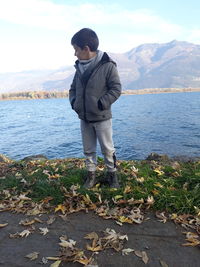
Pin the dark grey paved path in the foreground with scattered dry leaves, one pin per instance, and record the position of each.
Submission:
(161, 242)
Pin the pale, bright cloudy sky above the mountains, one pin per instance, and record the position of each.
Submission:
(36, 34)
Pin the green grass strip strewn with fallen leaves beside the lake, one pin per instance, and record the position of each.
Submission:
(175, 190)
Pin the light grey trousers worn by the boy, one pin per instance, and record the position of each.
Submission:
(101, 131)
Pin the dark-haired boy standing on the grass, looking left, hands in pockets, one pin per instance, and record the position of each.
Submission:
(96, 85)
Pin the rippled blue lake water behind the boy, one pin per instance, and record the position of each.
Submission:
(162, 123)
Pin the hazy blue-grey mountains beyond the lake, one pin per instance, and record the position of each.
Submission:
(169, 65)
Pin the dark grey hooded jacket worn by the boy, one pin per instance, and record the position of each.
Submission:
(93, 92)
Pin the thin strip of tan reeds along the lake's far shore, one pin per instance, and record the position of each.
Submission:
(30, 95)
